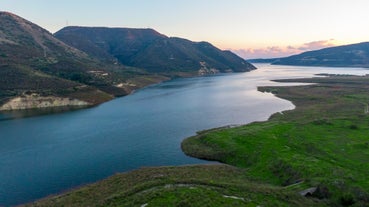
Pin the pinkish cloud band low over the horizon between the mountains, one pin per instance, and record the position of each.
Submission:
(278, 51)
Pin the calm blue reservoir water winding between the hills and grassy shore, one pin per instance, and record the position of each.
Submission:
(48, 154)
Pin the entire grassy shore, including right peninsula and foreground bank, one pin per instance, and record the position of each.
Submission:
(320, 149)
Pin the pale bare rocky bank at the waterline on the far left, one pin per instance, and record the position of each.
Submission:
(34, 101)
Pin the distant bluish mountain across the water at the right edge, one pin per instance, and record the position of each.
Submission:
(354, 55)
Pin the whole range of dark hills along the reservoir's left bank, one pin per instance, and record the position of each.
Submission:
(87, 66)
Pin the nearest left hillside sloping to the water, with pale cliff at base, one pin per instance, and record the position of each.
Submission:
(38, 70)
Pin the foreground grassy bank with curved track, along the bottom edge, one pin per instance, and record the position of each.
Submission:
(206, 185)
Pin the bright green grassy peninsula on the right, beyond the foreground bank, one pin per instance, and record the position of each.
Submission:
(323, 142)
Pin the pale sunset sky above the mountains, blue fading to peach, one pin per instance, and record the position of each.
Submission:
(250, 28)
